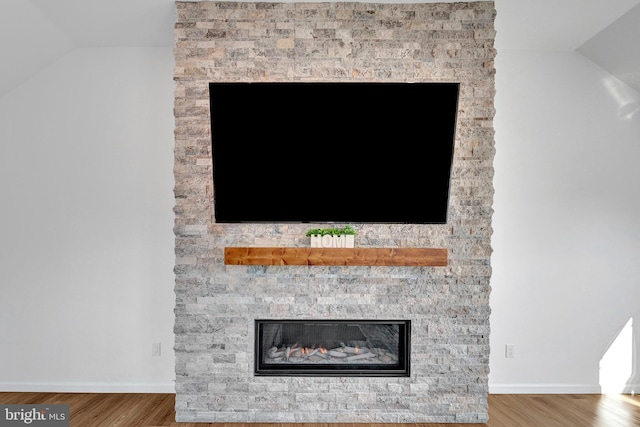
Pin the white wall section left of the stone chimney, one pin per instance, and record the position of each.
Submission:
(86, 254)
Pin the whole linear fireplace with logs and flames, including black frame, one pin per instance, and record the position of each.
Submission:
(332, 347)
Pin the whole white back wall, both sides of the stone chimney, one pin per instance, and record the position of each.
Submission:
(86, 252)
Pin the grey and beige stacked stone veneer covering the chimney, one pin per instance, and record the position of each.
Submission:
(449, 306)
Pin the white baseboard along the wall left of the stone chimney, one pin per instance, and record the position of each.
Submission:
(88, 387)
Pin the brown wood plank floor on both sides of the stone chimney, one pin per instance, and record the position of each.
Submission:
(505, 410)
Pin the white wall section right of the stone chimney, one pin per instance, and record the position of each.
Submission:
(566, 261)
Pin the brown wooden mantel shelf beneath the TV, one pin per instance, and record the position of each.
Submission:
(413, 257)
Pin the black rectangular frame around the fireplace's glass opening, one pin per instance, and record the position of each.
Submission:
(399, 369)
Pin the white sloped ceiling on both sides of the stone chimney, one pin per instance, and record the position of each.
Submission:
(36, 33)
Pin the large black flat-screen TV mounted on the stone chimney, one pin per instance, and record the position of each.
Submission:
(299, 152)
